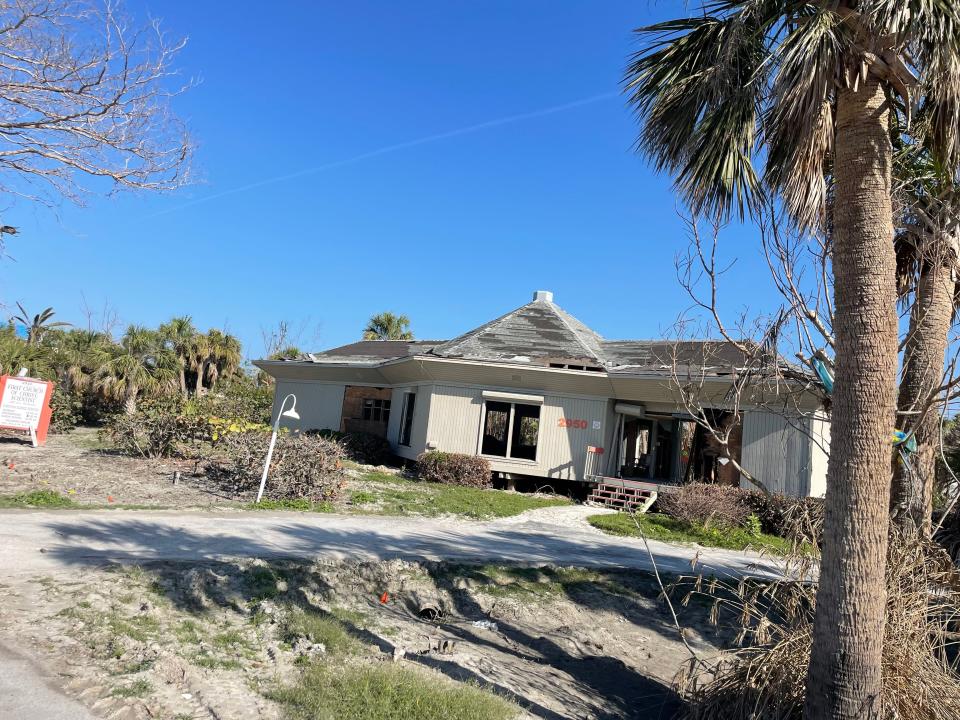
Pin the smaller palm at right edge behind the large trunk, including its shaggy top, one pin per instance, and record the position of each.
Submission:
(928, 250)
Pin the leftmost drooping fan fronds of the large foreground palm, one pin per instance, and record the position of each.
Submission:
(696, 89)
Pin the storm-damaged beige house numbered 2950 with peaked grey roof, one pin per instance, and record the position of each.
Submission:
(540, 395)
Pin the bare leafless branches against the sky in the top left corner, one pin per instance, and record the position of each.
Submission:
(85, 102)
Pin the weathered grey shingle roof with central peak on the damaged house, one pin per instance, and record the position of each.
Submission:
(542, 333)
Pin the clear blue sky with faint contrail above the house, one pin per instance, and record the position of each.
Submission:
(488, 155)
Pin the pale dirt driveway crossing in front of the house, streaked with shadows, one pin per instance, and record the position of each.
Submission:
(39, 541)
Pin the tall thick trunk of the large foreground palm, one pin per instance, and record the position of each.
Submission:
(843, 680)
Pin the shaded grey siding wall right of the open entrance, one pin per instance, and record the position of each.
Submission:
(777, 452)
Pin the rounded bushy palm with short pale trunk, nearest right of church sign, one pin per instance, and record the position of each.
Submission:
(139, 365)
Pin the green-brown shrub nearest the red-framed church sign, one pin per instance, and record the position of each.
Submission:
(158, 429)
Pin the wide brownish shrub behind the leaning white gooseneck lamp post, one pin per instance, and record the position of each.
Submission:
(303, 466)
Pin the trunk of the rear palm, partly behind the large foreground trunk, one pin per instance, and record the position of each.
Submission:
(911, 500)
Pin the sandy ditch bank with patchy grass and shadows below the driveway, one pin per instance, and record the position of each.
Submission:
(147, 642)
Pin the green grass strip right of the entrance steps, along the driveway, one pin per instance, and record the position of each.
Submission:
(668, 529)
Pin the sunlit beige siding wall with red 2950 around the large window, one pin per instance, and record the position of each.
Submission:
(456, 414)
